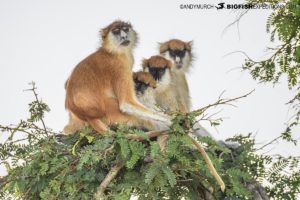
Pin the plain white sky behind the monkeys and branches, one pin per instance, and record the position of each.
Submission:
(42, 41)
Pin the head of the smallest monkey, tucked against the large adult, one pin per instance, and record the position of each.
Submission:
(143, 82)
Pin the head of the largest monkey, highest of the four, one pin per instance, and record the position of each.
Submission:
(118, 37)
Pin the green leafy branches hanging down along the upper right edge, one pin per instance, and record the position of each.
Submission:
(283, 26)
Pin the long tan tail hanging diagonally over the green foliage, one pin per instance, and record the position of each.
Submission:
(209, 163)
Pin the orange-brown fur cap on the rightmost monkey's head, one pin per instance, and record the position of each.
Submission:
(175, 44)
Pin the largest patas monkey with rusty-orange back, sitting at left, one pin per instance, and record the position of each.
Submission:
(100, 90)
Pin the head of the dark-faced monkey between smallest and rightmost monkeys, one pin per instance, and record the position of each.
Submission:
(160, 69)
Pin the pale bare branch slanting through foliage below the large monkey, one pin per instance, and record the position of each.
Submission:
(109, 177)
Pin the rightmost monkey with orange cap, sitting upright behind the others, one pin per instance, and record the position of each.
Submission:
(180, 54)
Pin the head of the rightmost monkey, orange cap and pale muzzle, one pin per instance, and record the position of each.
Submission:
(178, 52)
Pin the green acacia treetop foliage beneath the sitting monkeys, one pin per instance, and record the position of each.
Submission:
(54, 166)
